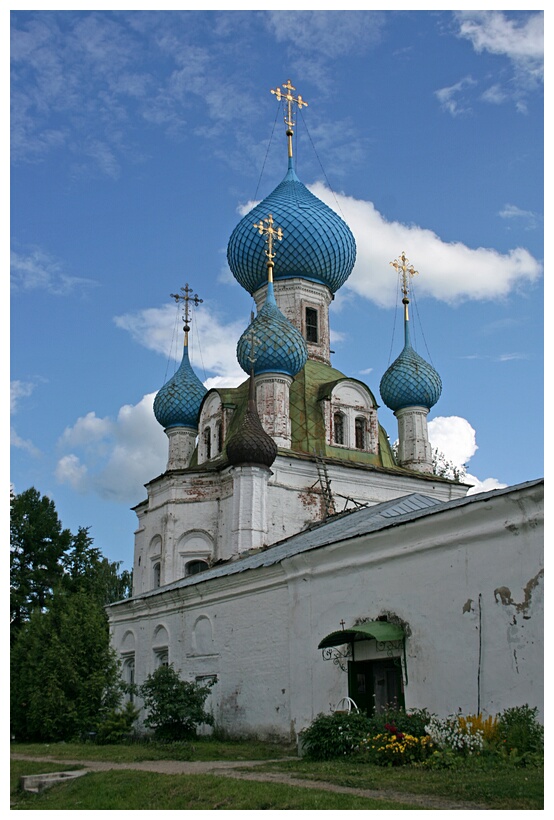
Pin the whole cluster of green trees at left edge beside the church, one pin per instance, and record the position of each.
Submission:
(64, 675)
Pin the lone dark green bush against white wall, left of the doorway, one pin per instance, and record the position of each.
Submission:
(175, 707)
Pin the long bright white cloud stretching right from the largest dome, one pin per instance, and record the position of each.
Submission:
(452, 271)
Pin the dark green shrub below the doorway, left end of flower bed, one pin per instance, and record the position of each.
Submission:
(334, 735)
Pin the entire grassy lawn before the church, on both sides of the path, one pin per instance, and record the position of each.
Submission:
(497, 786)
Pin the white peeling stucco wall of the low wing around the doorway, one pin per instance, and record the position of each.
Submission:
(467, 581)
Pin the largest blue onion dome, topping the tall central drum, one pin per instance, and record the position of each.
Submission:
(317, 244)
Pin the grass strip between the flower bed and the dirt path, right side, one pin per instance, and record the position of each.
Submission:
(498, 786)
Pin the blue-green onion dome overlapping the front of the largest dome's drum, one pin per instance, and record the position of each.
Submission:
(278, 346)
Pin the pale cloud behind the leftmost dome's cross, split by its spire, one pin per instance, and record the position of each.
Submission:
(155, 329)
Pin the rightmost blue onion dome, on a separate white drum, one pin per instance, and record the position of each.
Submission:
(410, 381)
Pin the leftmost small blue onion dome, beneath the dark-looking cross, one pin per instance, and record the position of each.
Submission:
(177, 403)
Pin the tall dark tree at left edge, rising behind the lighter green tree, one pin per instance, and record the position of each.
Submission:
(37, 546)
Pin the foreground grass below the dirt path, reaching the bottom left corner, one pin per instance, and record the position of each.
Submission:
(146, 790)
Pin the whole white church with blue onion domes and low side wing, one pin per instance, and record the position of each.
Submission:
(288, 554)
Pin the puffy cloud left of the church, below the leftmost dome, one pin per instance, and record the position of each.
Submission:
(113, 457)
